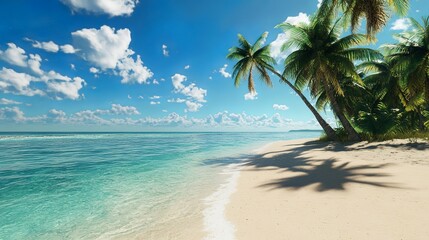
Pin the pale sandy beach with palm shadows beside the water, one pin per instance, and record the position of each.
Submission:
(304, 189)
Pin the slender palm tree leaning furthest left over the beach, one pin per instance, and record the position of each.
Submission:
(257, 59)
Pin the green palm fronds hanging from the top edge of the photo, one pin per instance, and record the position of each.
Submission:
(374, 11)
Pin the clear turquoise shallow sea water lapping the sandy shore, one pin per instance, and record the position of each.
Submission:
(112, 185)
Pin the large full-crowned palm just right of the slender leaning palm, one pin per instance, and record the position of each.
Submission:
(323, 58)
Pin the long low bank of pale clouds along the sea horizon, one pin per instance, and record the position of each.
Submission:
(220, 120)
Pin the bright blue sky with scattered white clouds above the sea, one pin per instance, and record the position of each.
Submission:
(148, 65)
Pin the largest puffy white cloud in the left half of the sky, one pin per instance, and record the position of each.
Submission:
(107, 48)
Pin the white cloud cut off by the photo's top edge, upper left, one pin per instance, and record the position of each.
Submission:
(110, 7)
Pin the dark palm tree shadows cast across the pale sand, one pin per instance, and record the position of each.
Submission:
(305, 169)
